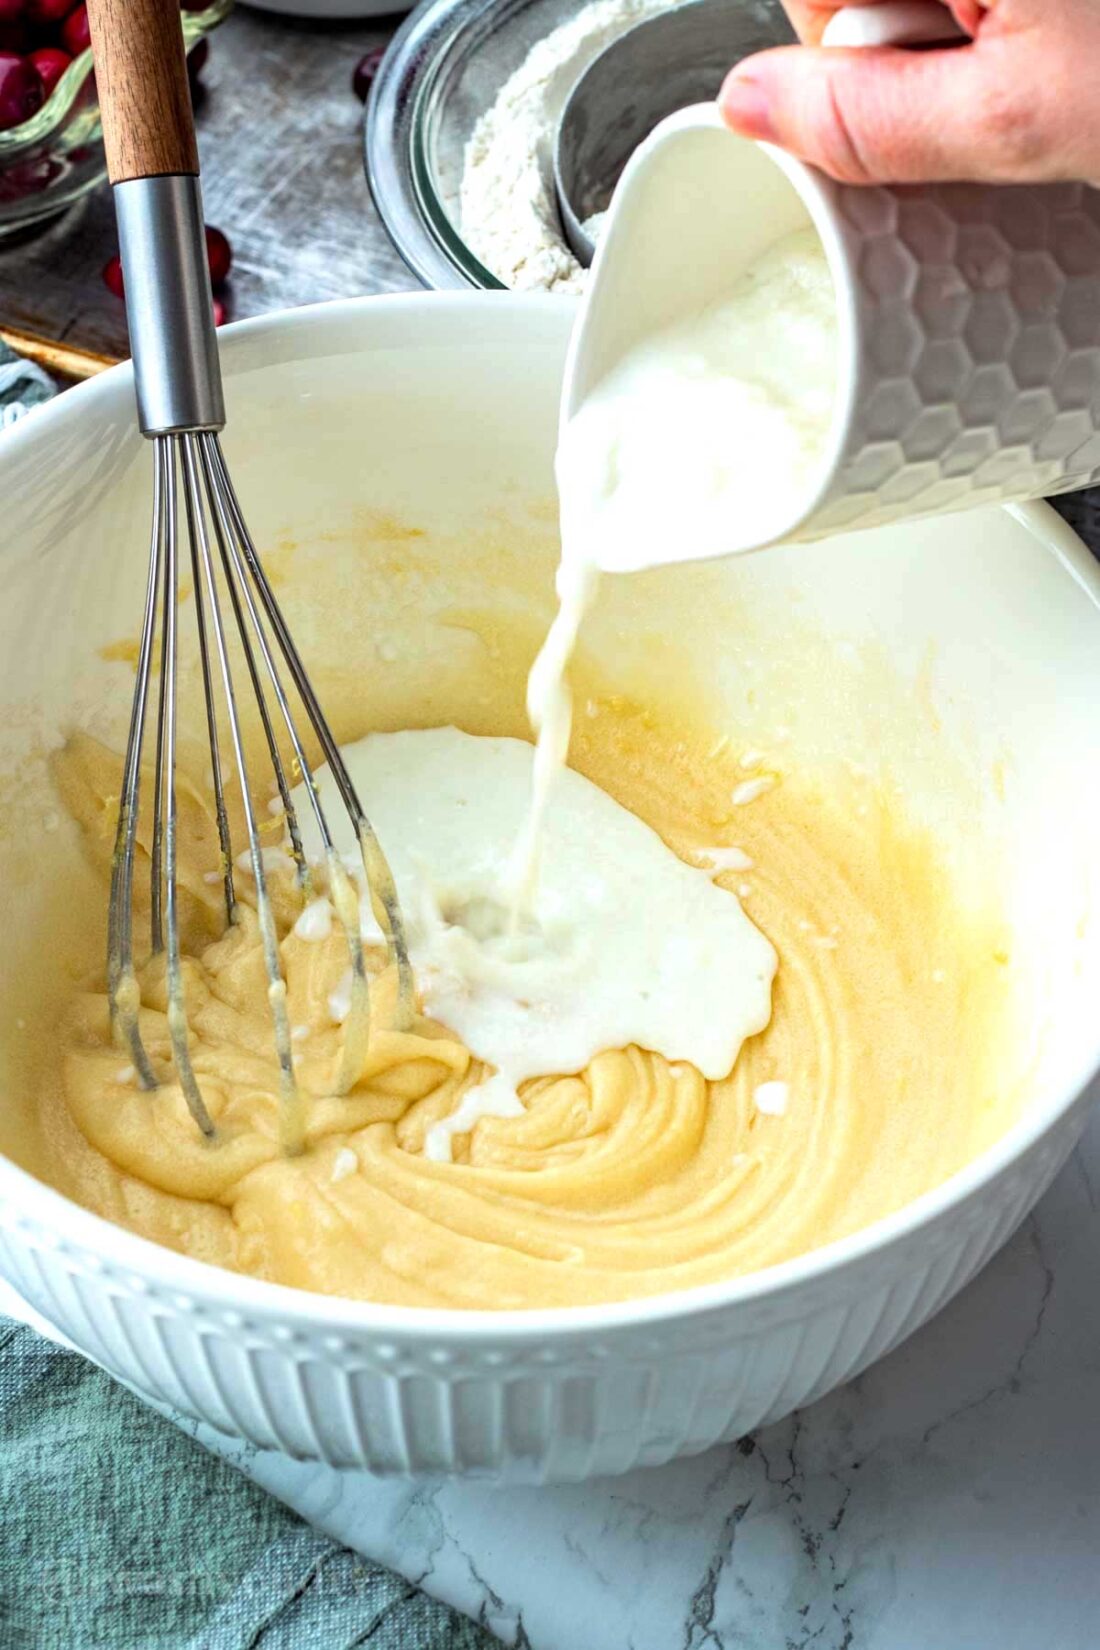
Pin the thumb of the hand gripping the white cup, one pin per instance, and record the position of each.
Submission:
(890, 116)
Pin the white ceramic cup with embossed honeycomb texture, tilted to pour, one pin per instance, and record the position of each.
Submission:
(969, 318)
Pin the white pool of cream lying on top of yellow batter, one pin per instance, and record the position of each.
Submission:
(618, 941)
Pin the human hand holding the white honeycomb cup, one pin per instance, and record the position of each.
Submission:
(1017, 105)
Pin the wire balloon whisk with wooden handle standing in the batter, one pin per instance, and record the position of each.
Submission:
(238, 625)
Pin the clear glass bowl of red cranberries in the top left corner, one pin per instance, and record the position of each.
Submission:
(50, 143)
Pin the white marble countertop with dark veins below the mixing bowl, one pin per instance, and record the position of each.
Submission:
(946, 1501)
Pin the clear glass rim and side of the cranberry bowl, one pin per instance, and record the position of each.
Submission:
(59, 156)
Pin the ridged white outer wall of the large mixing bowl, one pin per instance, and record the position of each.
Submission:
(576, 1407)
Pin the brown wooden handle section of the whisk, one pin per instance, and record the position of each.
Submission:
(144, 97)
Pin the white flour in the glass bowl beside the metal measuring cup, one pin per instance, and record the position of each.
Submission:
(509, 214)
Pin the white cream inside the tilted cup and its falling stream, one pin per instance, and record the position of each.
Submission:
(693, 431)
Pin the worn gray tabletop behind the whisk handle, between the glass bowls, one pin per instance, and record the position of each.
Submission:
(281, 138)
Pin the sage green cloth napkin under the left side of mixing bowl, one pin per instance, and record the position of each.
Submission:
(118, 1532)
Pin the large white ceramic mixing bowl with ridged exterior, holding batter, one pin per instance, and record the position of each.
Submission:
(350, 423)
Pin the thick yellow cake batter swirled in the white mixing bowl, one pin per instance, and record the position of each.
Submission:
(885, 1067)
